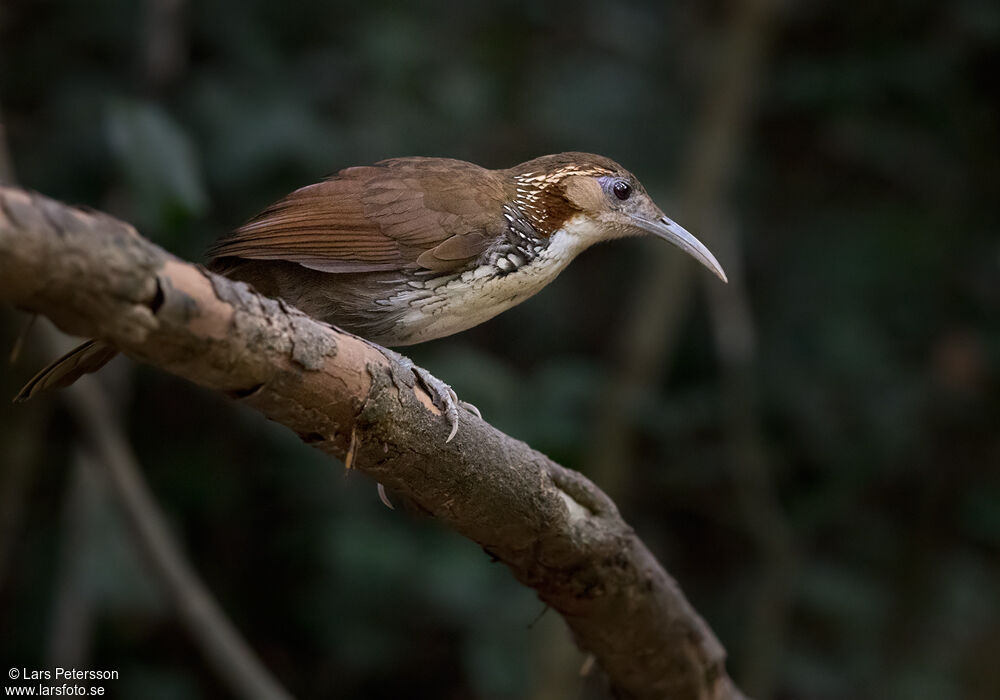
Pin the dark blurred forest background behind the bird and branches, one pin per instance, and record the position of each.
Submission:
(813, 450)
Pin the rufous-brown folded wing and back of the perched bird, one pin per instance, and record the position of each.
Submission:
(413, 213)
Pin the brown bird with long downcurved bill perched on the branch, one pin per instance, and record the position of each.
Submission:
(412, 249)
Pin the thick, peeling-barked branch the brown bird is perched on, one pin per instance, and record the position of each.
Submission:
(94, 275)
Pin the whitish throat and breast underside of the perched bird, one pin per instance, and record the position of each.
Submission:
(479, 295)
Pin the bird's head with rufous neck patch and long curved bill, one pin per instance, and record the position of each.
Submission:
(596, 199)
